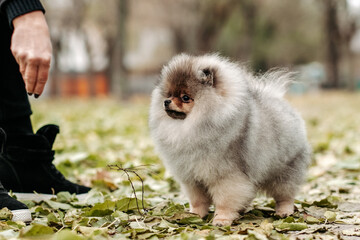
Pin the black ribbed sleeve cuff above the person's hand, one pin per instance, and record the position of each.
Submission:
(15, 8)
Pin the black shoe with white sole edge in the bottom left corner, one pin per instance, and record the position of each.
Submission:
(19, 210)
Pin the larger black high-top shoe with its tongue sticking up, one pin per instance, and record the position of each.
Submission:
(26, 164)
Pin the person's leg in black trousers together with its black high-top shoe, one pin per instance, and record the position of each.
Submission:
(26, 161)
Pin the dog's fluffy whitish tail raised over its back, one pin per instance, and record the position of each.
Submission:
(274, 82)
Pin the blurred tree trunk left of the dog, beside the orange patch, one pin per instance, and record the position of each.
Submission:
(117, 71)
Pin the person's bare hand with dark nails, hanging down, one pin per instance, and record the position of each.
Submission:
(31, 47)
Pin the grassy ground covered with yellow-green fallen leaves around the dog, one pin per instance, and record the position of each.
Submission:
(95, 134)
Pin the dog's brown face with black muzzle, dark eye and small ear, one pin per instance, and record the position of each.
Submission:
(181, 85)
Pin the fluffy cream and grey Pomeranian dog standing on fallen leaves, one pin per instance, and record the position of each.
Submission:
(226, 134)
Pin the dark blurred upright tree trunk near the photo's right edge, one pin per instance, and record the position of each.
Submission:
(333, 44)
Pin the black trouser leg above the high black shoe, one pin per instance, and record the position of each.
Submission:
(15, 108)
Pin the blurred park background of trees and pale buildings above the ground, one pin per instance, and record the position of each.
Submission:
(117, 47)
